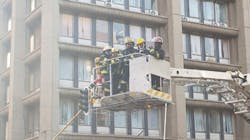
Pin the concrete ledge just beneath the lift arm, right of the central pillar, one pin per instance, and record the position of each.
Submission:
(207, 104)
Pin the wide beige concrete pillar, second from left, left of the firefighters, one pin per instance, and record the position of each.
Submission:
(49, 97)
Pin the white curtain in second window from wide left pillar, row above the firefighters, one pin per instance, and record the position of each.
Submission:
(85, 27)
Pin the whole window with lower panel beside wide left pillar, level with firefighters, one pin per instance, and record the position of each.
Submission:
(66, 70)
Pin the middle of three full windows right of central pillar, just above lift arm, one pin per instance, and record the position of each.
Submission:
(210, 49)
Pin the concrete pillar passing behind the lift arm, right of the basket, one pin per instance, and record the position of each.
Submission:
(176, 117)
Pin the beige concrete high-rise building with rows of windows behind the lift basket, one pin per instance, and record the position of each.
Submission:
(47, 48)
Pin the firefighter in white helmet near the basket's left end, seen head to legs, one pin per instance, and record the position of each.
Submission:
(105, 61)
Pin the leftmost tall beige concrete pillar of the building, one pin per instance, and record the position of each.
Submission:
(17, 91)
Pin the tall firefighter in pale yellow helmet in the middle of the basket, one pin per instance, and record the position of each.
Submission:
(128, 53)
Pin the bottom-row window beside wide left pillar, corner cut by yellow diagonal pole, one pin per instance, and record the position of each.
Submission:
(66, 110)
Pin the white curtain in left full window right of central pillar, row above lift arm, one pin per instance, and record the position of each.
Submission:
(195, 45)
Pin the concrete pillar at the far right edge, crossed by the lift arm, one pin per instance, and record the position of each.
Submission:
(243, 21)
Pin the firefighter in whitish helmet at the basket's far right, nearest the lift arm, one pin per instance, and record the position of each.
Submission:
(157, 50)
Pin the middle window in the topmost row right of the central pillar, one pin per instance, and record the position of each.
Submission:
(208, 10)
